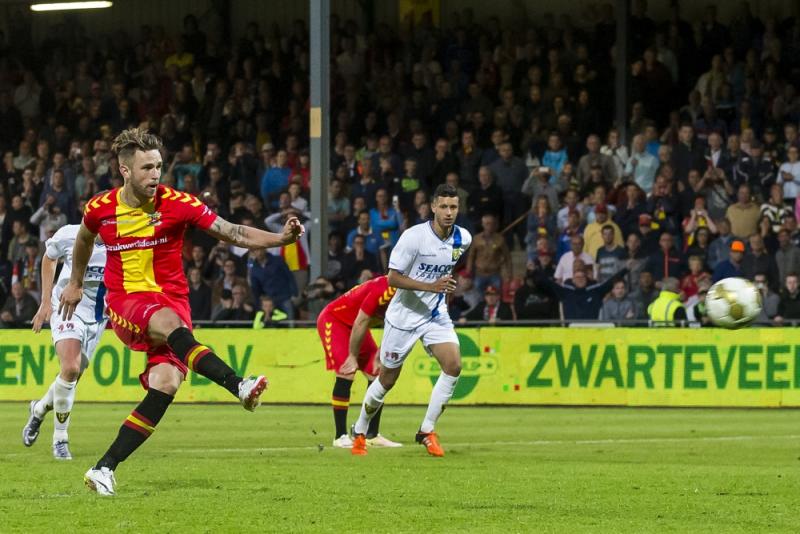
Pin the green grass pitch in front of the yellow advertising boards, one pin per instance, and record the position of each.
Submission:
(216, 468)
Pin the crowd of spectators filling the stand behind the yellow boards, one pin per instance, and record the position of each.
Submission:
(519, 120)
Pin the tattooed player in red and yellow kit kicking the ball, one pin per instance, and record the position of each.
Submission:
(142, 225)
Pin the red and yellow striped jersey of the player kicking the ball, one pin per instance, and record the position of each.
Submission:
(144, 244)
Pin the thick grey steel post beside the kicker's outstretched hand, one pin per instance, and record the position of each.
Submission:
(319, 130)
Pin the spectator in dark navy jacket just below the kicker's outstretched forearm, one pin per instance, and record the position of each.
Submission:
(270, 276)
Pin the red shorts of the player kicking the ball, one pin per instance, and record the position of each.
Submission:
(130, 316)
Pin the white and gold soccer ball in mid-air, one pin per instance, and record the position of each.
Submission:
(733, 303)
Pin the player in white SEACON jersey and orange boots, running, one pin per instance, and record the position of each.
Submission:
(421, 267)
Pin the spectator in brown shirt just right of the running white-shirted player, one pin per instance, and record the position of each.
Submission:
(489, 259)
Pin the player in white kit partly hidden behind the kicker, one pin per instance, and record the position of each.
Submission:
(75, 339)
